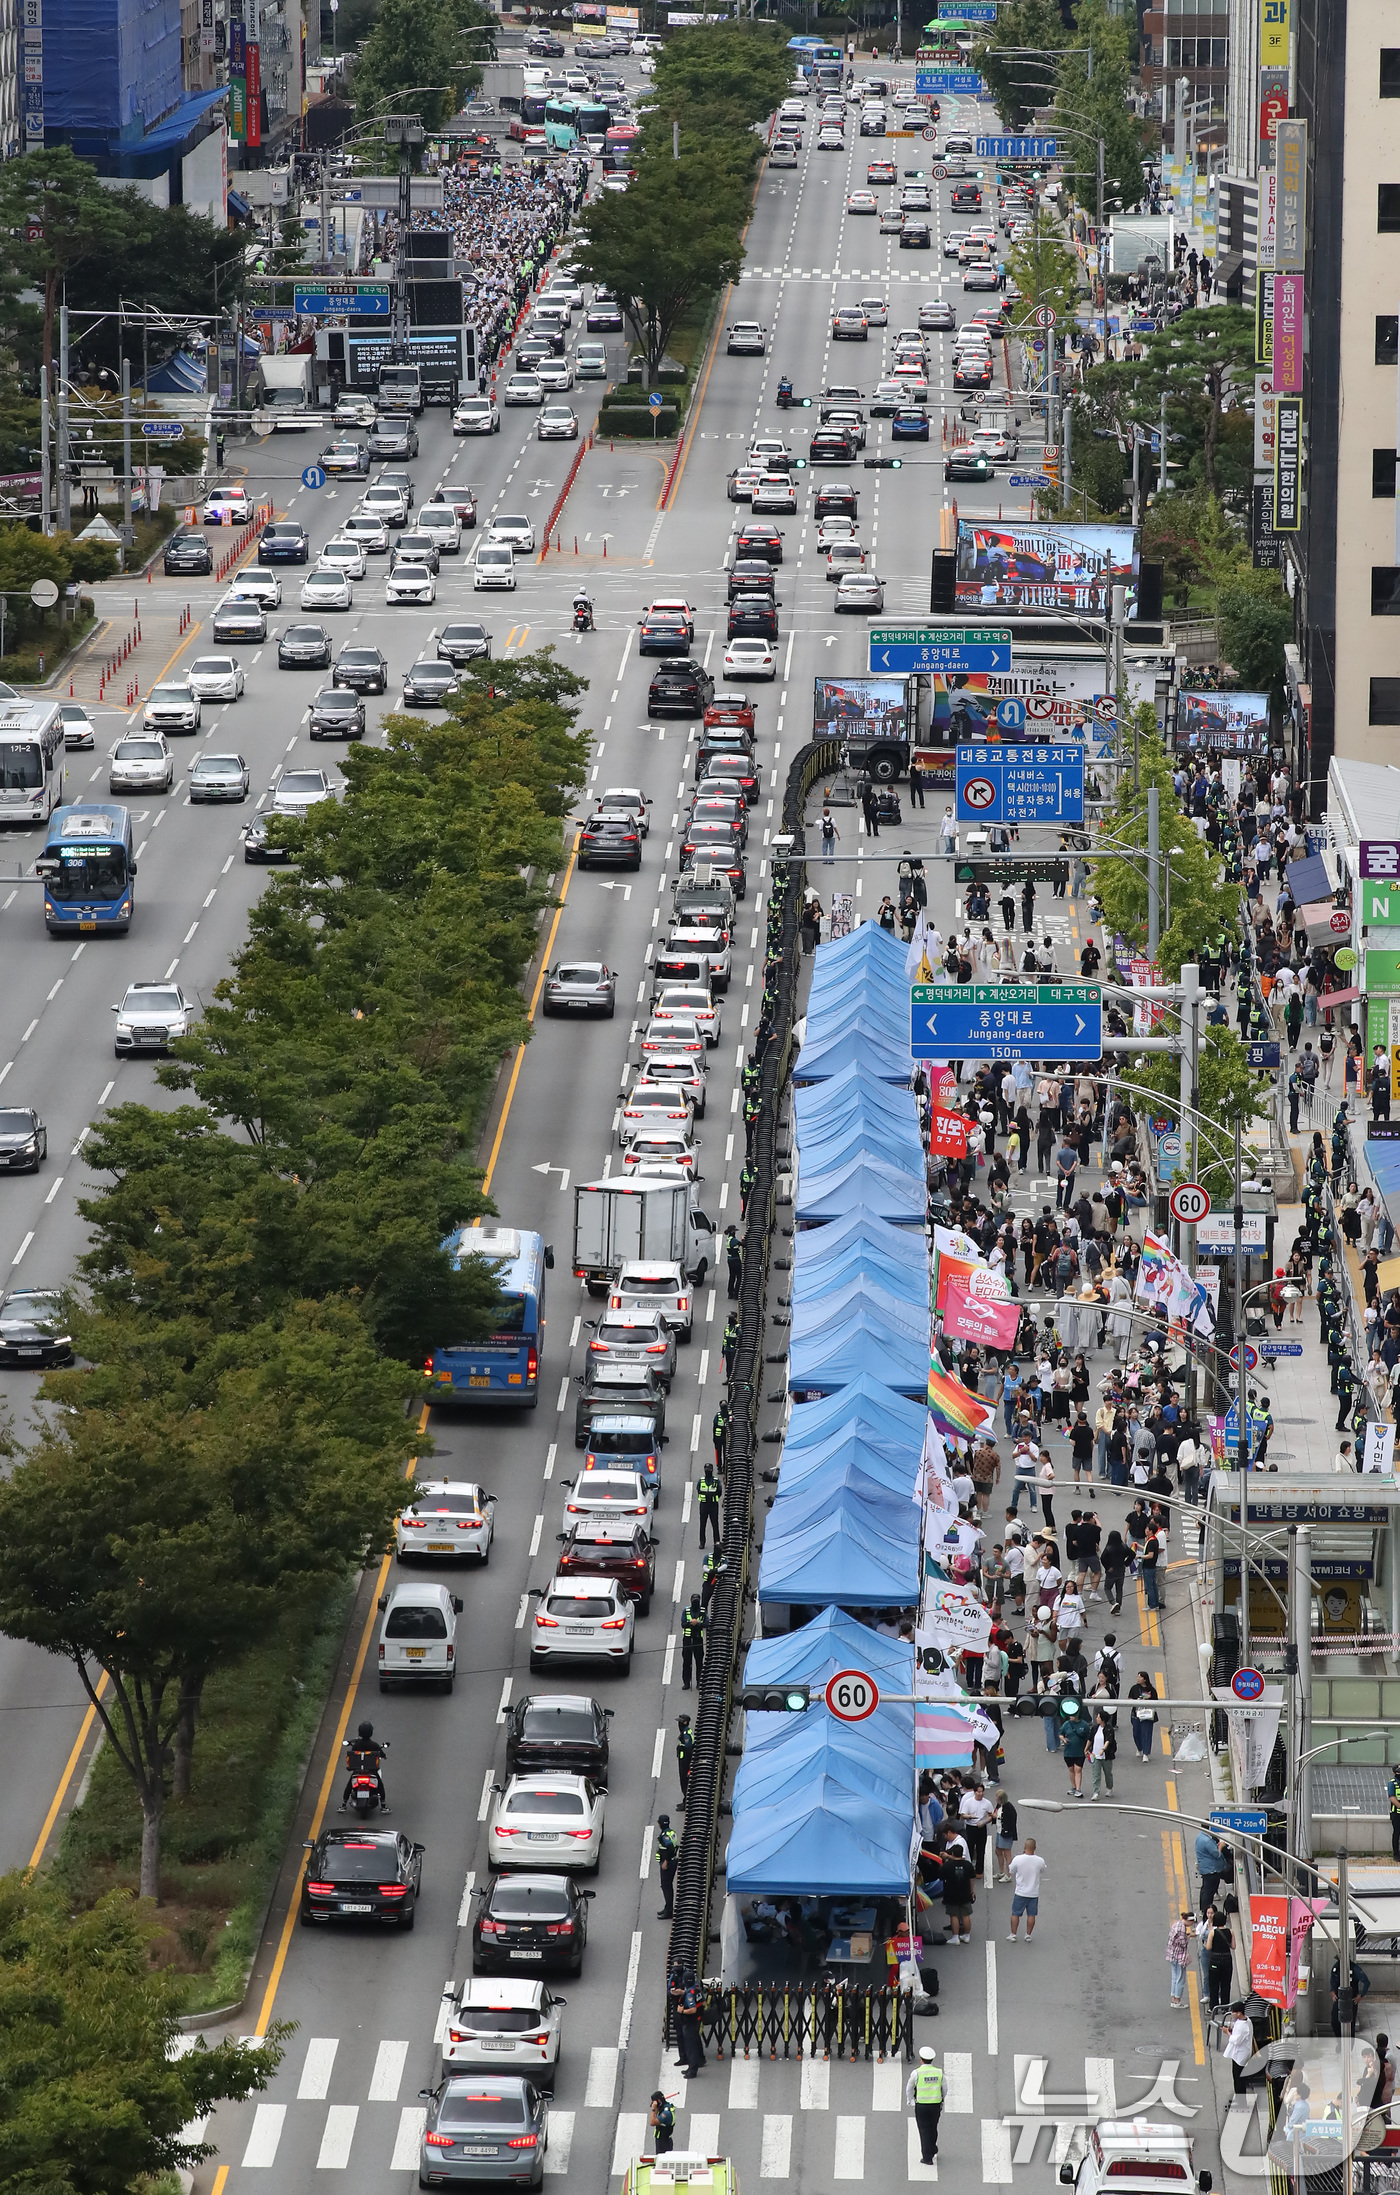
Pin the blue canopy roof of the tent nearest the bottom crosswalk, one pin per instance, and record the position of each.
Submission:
(822, 1841)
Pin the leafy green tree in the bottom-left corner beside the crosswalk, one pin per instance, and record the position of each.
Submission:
(95, 2100)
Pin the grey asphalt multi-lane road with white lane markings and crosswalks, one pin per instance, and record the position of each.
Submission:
(368, 2010)
